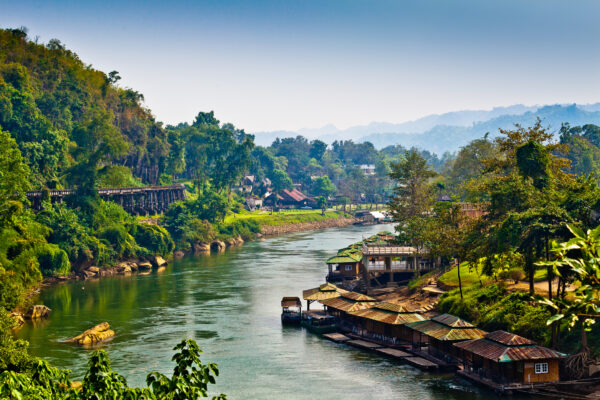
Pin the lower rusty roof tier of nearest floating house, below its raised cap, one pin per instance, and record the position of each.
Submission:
(501, 353)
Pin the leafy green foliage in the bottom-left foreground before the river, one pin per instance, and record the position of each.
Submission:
(190, 380)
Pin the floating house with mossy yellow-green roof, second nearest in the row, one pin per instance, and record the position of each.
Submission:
(439, 333)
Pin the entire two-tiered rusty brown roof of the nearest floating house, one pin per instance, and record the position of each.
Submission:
(522, 349)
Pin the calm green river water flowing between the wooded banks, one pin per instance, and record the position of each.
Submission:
(230, 304)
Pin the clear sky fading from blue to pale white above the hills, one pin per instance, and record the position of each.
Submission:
(284, 65)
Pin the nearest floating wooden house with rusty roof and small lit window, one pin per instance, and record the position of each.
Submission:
(506, 358)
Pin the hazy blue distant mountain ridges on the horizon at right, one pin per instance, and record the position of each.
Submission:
(449, 131)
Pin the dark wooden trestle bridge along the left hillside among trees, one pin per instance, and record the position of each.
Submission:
(135, 200)
